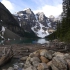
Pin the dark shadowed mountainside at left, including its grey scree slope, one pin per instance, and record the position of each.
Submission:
(10, 25)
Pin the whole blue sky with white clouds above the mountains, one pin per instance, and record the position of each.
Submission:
(48, 7)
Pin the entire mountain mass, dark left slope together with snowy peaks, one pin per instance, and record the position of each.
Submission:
(25, 23)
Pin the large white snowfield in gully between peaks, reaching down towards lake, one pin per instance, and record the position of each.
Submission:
(40, 32)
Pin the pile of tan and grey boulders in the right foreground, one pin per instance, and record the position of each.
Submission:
(46, 60)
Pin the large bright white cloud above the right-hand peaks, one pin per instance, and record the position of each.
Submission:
(50, 10)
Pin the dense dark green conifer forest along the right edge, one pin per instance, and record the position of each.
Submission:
(63, 27)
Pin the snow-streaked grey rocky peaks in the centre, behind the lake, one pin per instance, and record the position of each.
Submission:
(41, 25)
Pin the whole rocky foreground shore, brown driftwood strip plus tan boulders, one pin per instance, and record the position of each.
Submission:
(51, 56)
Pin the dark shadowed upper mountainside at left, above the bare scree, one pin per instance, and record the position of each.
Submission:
(8, 21)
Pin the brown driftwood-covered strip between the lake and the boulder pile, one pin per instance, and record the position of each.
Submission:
(20, 50)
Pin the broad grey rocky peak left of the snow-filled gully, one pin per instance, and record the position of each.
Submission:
(26, 19)
